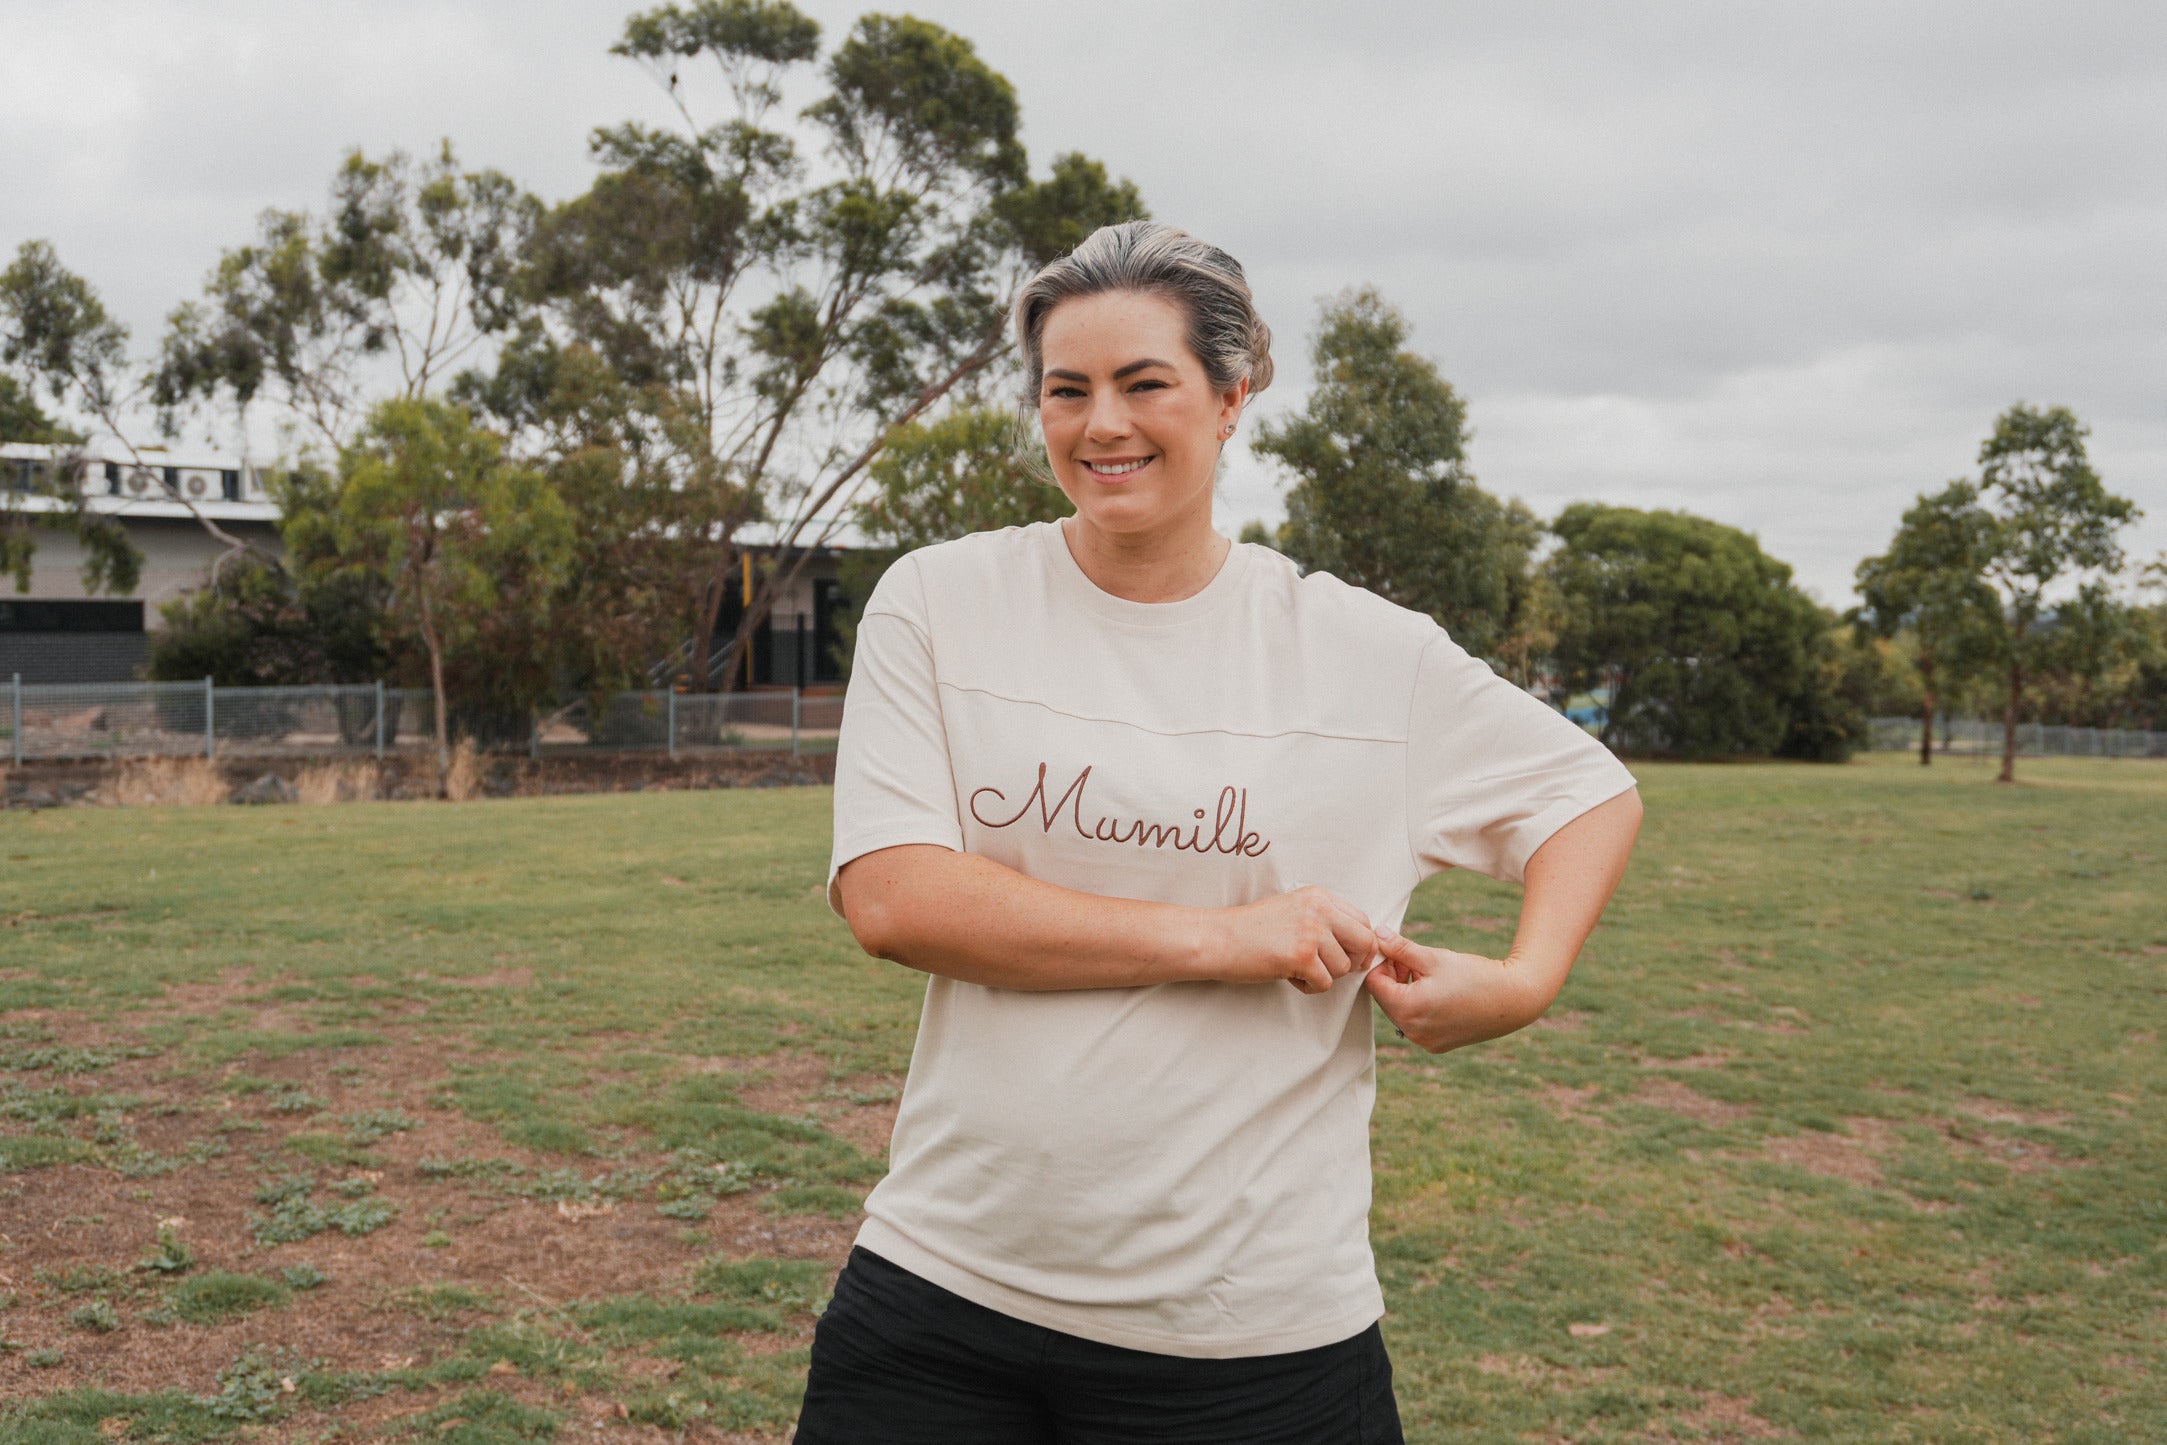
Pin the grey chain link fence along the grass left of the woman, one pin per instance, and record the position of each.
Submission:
(161, 720)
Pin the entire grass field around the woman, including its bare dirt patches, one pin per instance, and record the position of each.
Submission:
(547, 1121)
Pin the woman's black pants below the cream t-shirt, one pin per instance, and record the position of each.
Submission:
(900, 1362)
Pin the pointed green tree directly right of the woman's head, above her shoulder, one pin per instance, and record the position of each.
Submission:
(1381, 489)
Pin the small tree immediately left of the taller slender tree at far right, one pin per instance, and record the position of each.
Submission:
(1932, 584)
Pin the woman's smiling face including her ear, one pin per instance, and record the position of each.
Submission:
(1132, 424)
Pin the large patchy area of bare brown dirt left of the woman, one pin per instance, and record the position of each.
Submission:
(79, 1232)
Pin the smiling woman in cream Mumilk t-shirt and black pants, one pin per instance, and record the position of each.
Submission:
(1145, 805)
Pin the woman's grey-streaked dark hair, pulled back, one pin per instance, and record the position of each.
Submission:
(1225, 330)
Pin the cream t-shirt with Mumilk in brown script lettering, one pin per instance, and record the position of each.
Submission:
(1178, 1169)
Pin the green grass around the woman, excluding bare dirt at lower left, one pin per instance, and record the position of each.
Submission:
(1850, 1125)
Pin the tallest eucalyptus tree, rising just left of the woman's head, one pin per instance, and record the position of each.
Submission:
(781, 294)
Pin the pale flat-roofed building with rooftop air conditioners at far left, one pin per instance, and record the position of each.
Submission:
(57, 632)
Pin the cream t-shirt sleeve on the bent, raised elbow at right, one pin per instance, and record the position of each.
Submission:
(1492, 772)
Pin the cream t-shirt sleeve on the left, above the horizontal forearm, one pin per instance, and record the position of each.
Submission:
(894, 781)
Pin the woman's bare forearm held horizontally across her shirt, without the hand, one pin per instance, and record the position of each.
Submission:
(972, 920)
